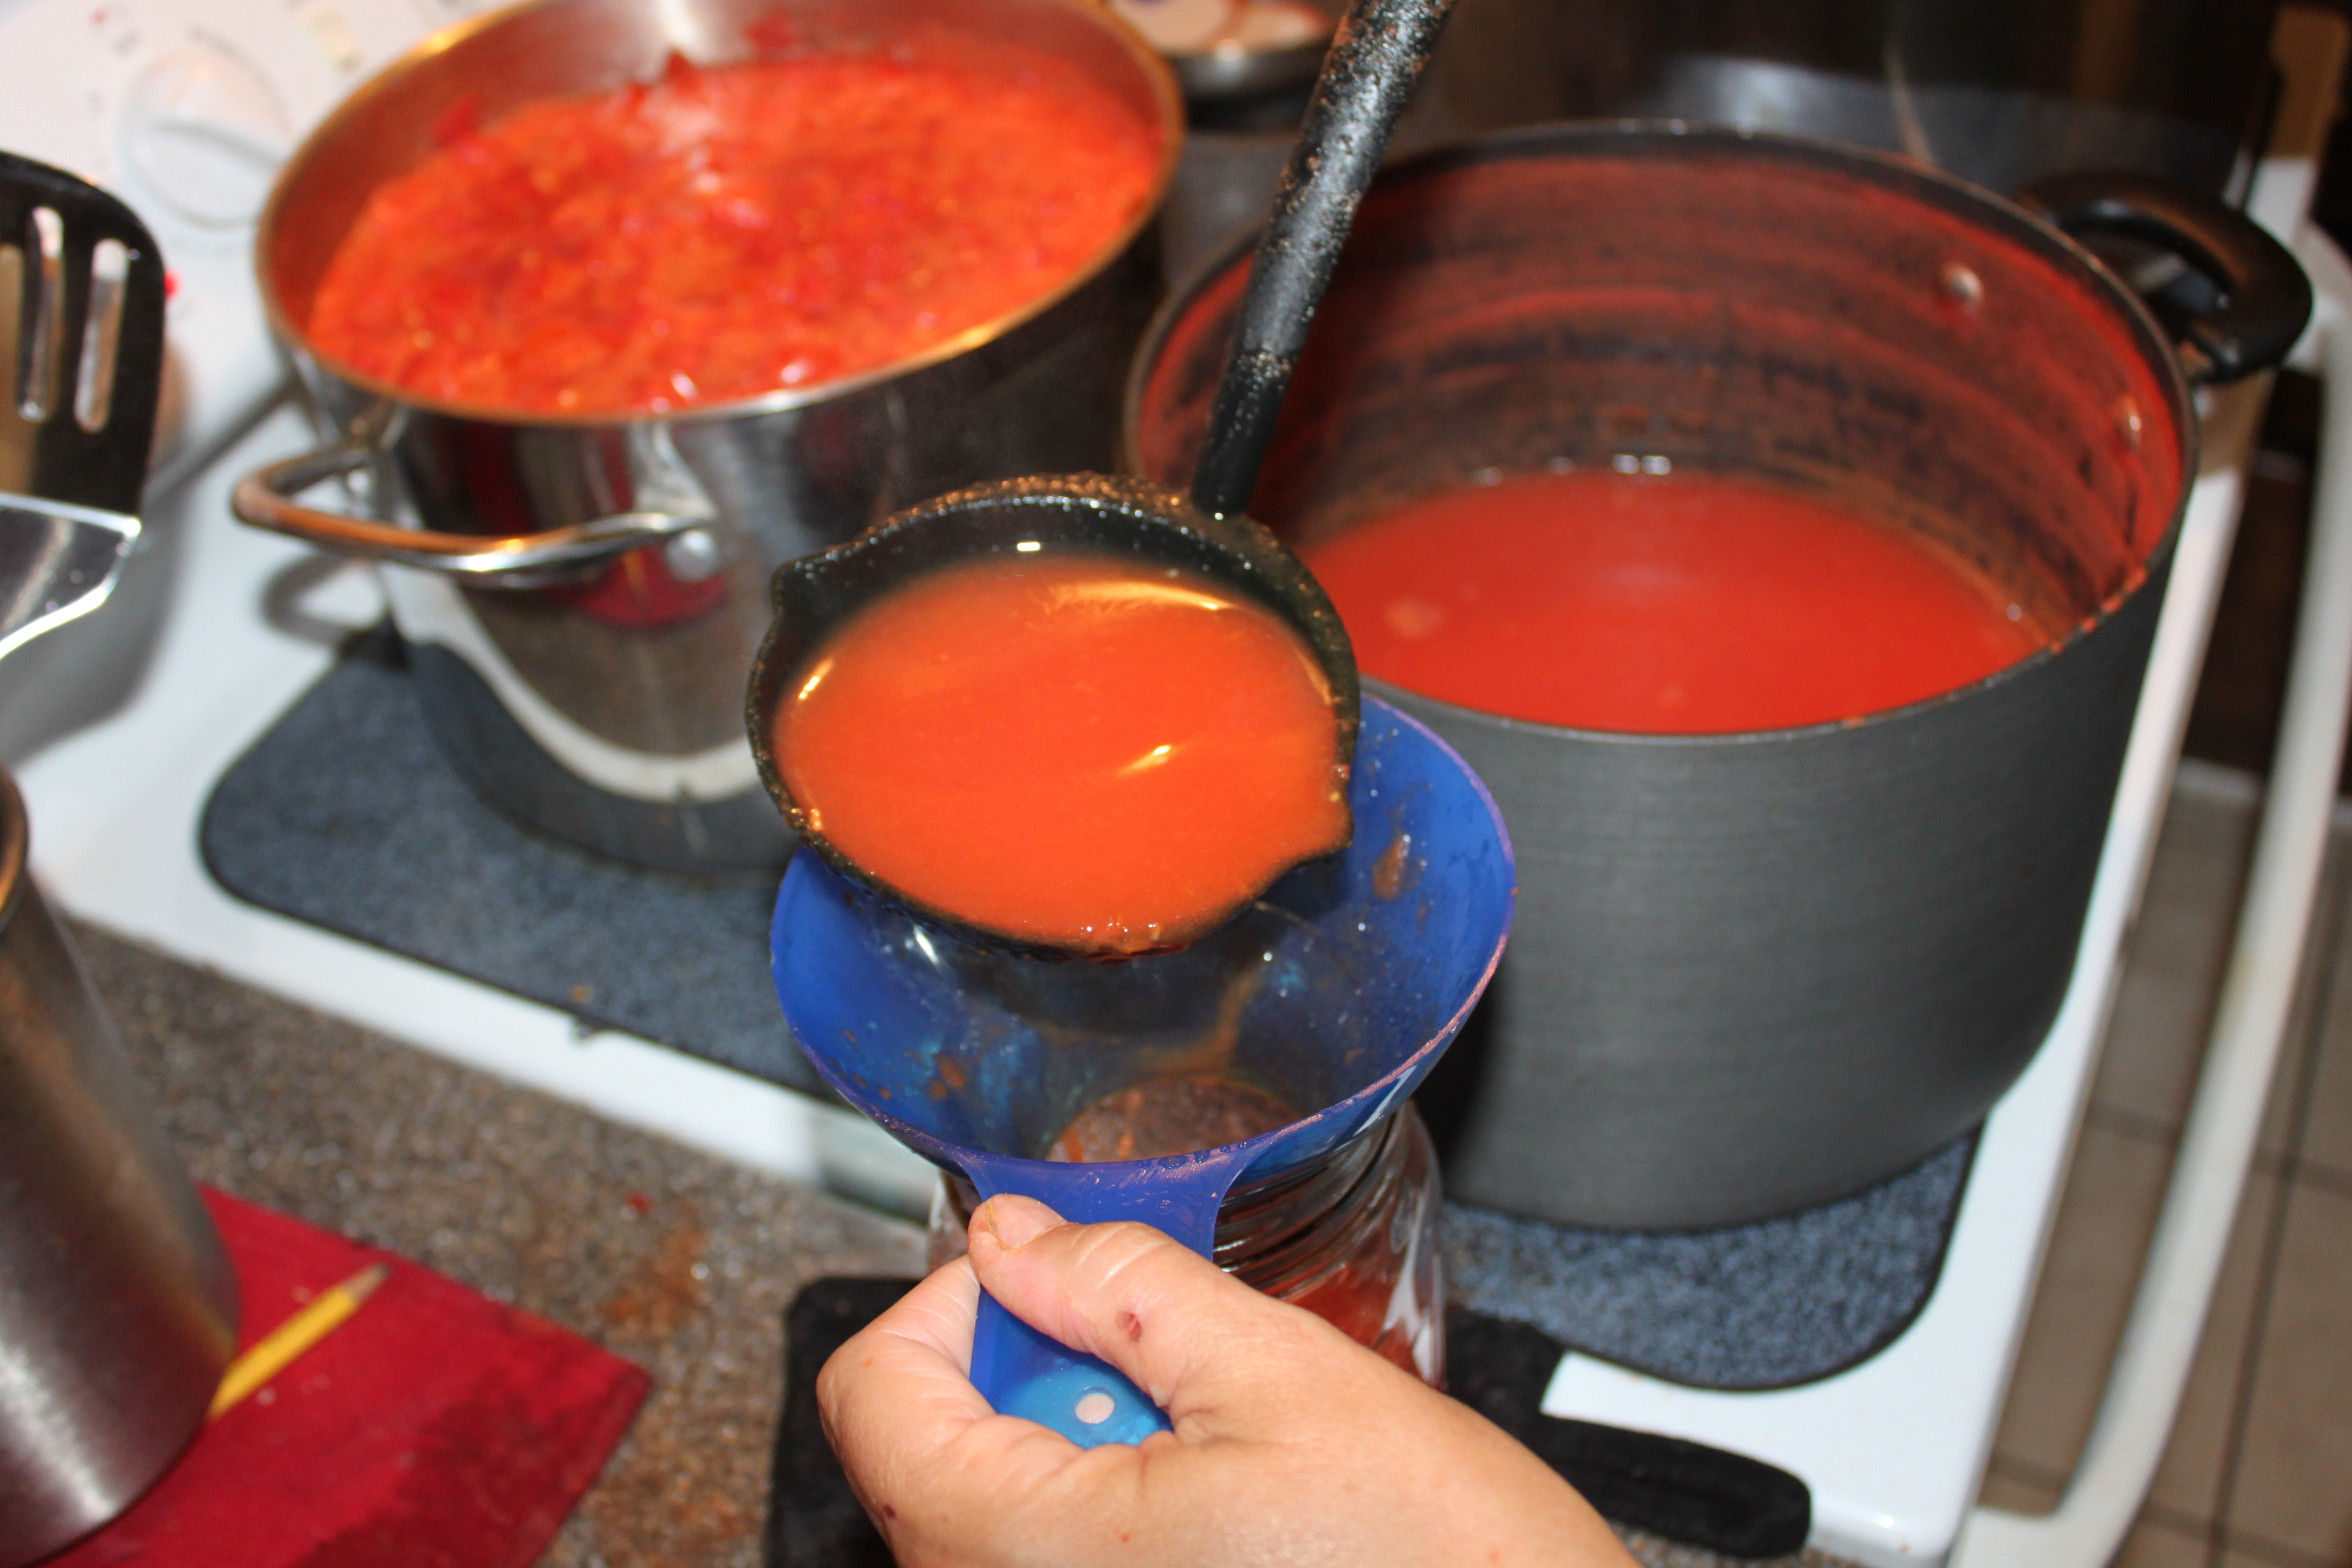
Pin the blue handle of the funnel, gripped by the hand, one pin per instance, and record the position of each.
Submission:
(1036, 1376)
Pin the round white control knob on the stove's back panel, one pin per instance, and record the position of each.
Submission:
(203, 135)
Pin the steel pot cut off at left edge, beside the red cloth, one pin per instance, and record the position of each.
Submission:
(116, 1301)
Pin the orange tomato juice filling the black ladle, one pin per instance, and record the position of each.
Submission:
(1069, 749)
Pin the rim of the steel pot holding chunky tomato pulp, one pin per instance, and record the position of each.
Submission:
(1168, 102)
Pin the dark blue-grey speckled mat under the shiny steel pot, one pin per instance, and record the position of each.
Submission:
(349, 817)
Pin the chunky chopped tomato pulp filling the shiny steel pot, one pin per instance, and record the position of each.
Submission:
(733, 232)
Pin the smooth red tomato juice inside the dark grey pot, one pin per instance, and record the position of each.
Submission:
(1657, 603)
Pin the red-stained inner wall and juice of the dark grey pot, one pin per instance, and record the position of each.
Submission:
(1593, 504)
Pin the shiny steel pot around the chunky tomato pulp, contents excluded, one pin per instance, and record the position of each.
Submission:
(582, 596)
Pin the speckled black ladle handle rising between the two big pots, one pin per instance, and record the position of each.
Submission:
(1365, 83)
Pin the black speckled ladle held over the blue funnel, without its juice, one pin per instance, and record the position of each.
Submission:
(1368, 76)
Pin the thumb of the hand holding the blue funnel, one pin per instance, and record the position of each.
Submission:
(1203, 1346)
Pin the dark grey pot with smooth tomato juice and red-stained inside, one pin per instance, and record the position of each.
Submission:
(1779, 530)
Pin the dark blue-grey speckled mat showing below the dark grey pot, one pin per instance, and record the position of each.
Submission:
(1753, 1306)
